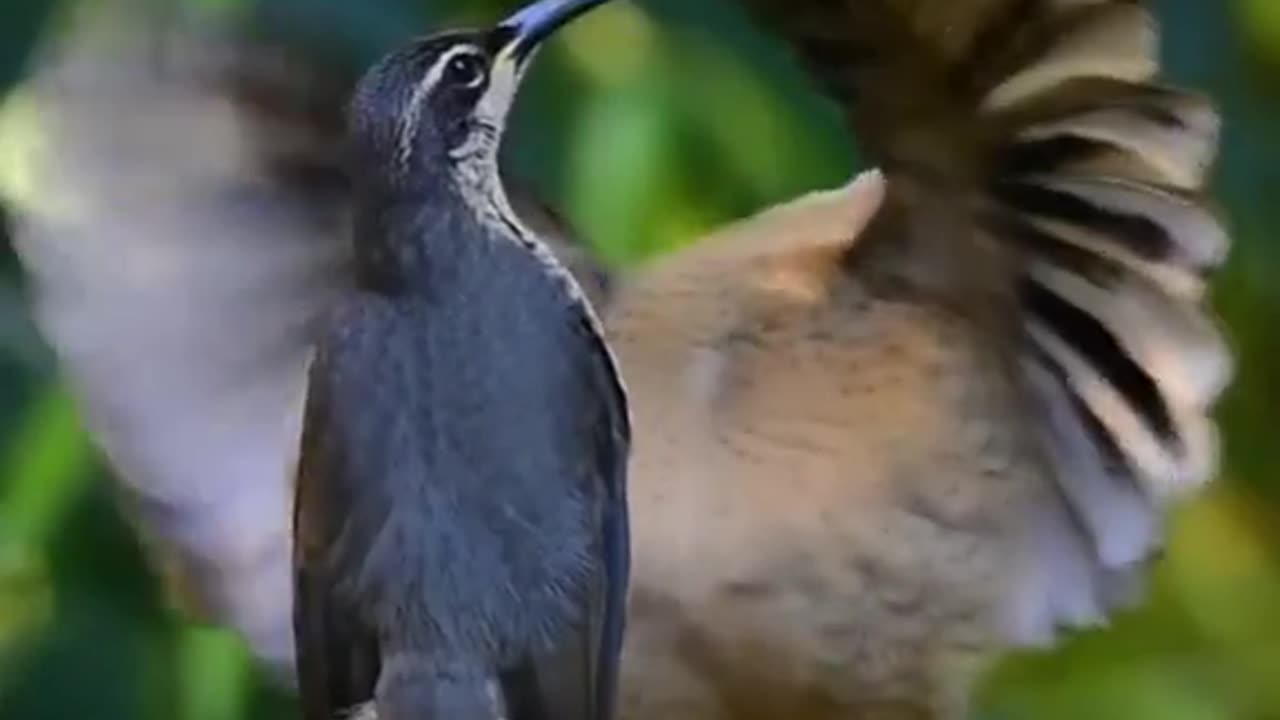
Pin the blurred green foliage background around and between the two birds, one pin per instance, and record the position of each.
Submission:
(648, 125)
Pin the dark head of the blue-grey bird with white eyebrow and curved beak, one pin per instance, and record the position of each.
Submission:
(441, 104)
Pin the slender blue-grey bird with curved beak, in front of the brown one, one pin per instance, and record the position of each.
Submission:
(460, 536)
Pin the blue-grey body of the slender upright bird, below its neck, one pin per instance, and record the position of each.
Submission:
(468, 539)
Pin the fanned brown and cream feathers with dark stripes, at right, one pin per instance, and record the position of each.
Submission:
(1048, 124)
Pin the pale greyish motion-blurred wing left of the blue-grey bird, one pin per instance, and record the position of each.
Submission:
(177, 274)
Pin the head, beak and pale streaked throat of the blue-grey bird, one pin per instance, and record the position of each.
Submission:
(427, 122)
